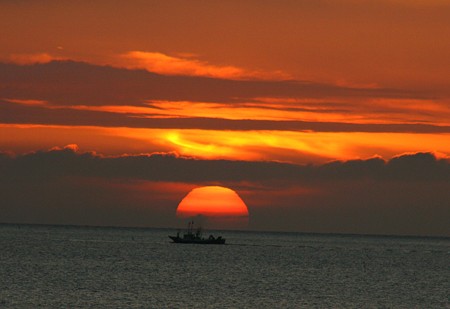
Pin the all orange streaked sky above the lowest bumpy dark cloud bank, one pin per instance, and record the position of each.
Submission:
(295, 81)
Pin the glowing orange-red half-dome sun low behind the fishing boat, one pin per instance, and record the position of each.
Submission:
(212, 201)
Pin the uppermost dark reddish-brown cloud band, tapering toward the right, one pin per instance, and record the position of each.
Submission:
(77, 83)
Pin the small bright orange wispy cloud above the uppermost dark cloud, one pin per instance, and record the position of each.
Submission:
(169, 65)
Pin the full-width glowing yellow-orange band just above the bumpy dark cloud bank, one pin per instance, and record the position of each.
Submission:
(297, 147)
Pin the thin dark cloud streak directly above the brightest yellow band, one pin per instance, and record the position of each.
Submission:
(84, 116)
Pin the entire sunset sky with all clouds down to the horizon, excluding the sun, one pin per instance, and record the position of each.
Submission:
(324, 116)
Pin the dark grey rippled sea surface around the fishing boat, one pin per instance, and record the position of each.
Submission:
(89, 267)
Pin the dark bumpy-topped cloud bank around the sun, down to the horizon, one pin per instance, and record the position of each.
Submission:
(408, 194)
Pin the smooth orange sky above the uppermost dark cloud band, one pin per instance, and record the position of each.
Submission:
(386, 43)
